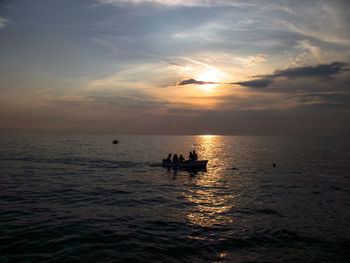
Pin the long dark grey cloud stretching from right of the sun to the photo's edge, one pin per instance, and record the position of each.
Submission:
(322, 71)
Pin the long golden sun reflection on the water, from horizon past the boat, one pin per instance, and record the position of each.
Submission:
(210, 197)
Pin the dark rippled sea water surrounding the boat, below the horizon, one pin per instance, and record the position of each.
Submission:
(84, 199)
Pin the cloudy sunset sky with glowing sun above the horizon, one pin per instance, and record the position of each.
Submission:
(230, 67)
